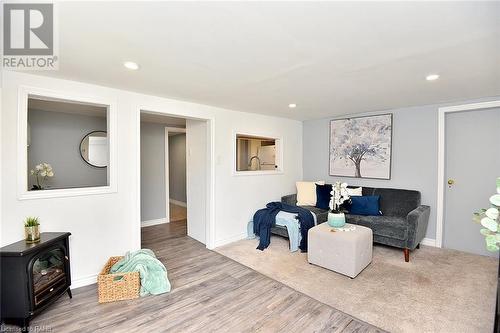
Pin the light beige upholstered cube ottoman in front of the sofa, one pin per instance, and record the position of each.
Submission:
(345, 252)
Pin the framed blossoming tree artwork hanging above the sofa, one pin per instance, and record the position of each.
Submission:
(361, 147)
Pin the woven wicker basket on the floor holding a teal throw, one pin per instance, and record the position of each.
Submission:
(118, 286)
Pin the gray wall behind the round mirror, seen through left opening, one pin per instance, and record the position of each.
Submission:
(55, 139)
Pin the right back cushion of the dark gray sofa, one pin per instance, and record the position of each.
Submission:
(395, 202)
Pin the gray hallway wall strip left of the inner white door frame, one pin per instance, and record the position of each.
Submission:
(152, 171)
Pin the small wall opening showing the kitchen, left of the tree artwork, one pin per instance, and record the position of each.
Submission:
(257, 154)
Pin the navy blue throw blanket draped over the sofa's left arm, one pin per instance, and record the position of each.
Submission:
(265, 218)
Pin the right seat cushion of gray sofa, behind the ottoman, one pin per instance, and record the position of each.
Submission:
(386, 226)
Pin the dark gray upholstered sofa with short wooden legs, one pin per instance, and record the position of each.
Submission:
(403, 222)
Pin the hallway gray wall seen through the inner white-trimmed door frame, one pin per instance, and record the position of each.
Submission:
(177, 167)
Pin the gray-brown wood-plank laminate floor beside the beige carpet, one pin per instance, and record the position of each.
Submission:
(210, 293)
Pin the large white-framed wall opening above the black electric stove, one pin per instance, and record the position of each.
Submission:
(67, 144)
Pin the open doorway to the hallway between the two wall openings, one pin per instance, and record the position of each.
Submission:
(175, 172)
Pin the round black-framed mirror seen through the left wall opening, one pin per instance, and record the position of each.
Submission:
(94, 149)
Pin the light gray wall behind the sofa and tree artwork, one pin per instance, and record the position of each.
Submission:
(414, 153)
